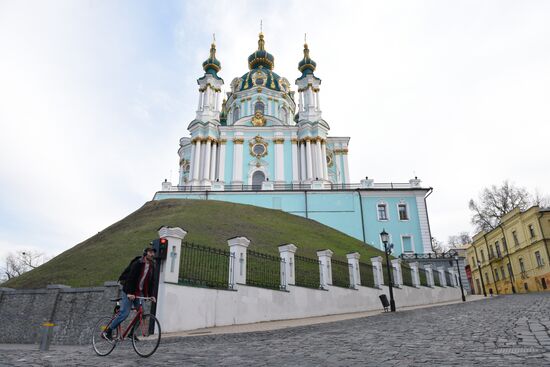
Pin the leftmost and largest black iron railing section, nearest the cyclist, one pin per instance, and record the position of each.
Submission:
(203, 266)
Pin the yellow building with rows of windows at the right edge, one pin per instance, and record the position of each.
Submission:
(515, 256)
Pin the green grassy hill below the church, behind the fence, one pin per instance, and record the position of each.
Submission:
(210, 223)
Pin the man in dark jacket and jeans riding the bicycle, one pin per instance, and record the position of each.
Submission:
(137, 281)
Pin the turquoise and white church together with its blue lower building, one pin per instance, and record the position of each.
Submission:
(267, 145)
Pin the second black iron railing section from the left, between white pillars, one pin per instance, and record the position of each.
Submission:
(263, 270)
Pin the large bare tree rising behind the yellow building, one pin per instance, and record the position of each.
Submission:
(494, 202)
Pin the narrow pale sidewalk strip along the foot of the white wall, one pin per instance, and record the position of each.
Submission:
(283, 324)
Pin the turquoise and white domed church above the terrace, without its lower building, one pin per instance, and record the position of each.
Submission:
(263, 131)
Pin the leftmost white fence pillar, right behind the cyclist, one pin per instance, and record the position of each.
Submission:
(169, 269)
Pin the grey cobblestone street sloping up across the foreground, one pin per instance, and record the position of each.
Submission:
(502, 331)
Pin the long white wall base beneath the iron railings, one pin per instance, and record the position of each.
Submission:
(189, 308)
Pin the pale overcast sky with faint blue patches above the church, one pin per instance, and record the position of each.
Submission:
(94, 96)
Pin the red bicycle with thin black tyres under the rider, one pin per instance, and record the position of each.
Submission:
(144, 329)
